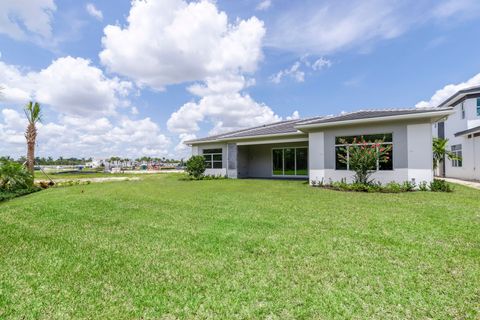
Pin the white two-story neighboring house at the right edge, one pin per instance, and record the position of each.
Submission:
(462, 129)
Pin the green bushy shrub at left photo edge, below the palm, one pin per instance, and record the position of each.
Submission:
(14, 177)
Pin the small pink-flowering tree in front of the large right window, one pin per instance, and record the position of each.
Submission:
(363, 157)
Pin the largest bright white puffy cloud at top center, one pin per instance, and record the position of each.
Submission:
(180, 42)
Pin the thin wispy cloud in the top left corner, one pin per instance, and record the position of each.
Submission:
(20, 19)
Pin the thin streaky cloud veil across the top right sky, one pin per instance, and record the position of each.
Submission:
(324, 27)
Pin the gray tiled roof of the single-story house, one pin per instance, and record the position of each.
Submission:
(291, 126)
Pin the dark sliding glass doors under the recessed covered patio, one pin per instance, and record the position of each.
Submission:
(290, 161)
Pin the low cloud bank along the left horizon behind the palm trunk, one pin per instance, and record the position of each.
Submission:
(79, 136)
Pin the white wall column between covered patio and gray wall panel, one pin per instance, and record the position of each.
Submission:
(316, 157)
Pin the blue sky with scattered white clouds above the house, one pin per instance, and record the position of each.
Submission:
(137, 78)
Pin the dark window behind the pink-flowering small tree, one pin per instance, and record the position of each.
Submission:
(343, 144)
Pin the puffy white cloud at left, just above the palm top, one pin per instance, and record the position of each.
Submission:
(69, 85)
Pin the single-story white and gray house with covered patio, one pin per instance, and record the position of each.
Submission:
(309, 148)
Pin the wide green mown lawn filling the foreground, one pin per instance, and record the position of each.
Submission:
(165, 248)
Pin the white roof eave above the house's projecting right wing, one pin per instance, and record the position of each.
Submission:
(429, 115)
